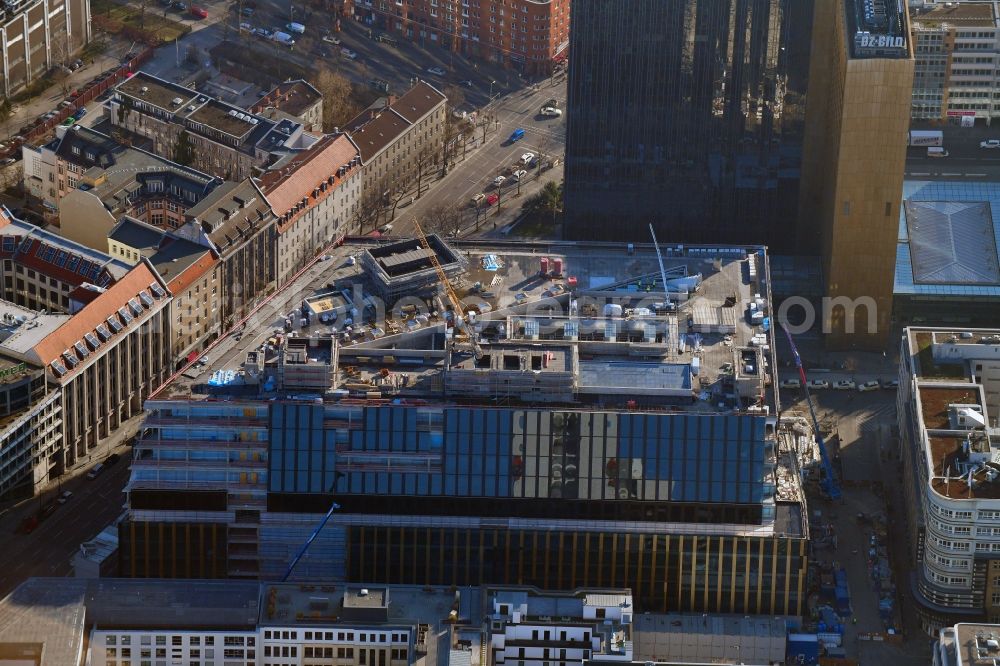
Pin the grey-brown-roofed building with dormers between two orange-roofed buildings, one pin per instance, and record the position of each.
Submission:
(237, 224)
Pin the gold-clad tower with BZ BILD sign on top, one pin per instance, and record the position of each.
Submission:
(852, 167)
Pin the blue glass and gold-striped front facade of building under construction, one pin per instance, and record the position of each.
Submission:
(680, 507)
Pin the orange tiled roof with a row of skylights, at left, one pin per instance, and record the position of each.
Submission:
(95, 314)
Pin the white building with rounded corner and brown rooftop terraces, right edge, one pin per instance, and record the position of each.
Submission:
(948, 402)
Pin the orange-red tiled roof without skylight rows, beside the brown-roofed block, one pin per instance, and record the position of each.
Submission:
(288, 185)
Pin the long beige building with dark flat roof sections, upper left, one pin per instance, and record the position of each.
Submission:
(192, 128)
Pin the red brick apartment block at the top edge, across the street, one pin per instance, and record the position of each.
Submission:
(531, 36)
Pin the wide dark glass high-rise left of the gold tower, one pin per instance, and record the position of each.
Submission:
(686, 115)
